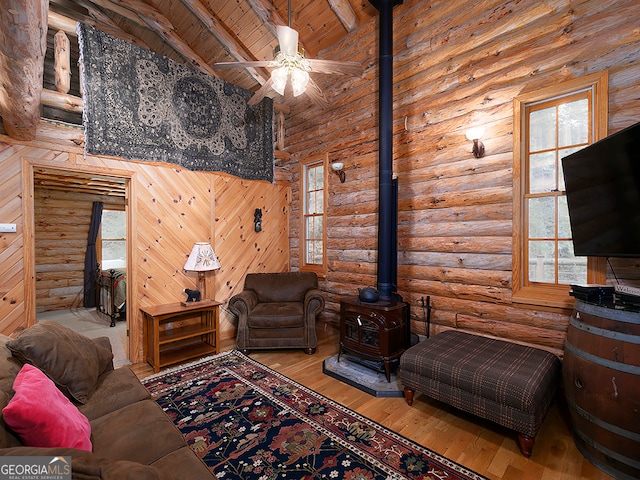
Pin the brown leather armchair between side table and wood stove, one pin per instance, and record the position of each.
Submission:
(278, 310)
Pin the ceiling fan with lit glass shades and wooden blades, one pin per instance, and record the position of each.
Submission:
(291, 67)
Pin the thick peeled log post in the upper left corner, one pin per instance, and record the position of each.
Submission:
(24, 27)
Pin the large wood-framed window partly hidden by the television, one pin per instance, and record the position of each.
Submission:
(549, 125)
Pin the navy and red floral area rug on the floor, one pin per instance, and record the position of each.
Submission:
(247, 421)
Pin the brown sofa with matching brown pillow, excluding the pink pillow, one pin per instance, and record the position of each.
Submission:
(131, 436)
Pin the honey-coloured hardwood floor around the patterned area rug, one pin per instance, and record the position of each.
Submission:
(477, 444)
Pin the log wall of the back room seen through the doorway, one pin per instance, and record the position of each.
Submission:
(61, 228)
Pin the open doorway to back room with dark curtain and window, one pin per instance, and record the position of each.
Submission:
(62, 207)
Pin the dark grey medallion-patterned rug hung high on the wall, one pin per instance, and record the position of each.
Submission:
(141, 105)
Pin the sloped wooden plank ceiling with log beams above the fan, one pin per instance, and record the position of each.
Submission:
(204, 32)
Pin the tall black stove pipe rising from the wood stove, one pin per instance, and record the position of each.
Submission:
(387, 223)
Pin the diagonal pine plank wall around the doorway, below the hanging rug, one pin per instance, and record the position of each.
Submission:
(169, 208)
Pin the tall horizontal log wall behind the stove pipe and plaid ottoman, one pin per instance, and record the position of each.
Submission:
(456, 65)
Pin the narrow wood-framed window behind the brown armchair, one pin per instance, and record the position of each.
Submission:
(313, 243)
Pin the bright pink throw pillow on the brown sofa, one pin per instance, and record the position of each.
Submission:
(42, 416)
